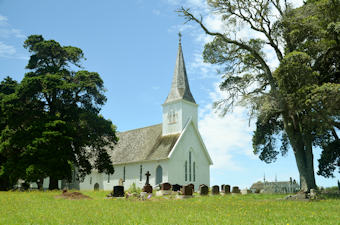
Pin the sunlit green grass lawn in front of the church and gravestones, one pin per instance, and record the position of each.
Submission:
(43, 208)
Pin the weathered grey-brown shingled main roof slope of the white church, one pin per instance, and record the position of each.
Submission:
(143, 144)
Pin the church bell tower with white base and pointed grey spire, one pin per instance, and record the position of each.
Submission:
(180, 106)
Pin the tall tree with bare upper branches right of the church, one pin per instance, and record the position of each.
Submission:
(298, 102)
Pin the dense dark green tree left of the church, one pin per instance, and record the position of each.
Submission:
(52, 121)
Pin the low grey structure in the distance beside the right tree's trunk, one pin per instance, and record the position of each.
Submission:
(270, 187)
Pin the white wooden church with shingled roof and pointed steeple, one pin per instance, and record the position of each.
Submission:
(172, 151)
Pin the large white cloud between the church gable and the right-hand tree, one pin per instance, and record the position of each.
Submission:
(226, 136)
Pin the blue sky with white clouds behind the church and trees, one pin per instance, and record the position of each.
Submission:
(133, 46)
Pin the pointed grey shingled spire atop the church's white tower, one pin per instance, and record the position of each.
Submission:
(180, 85)
